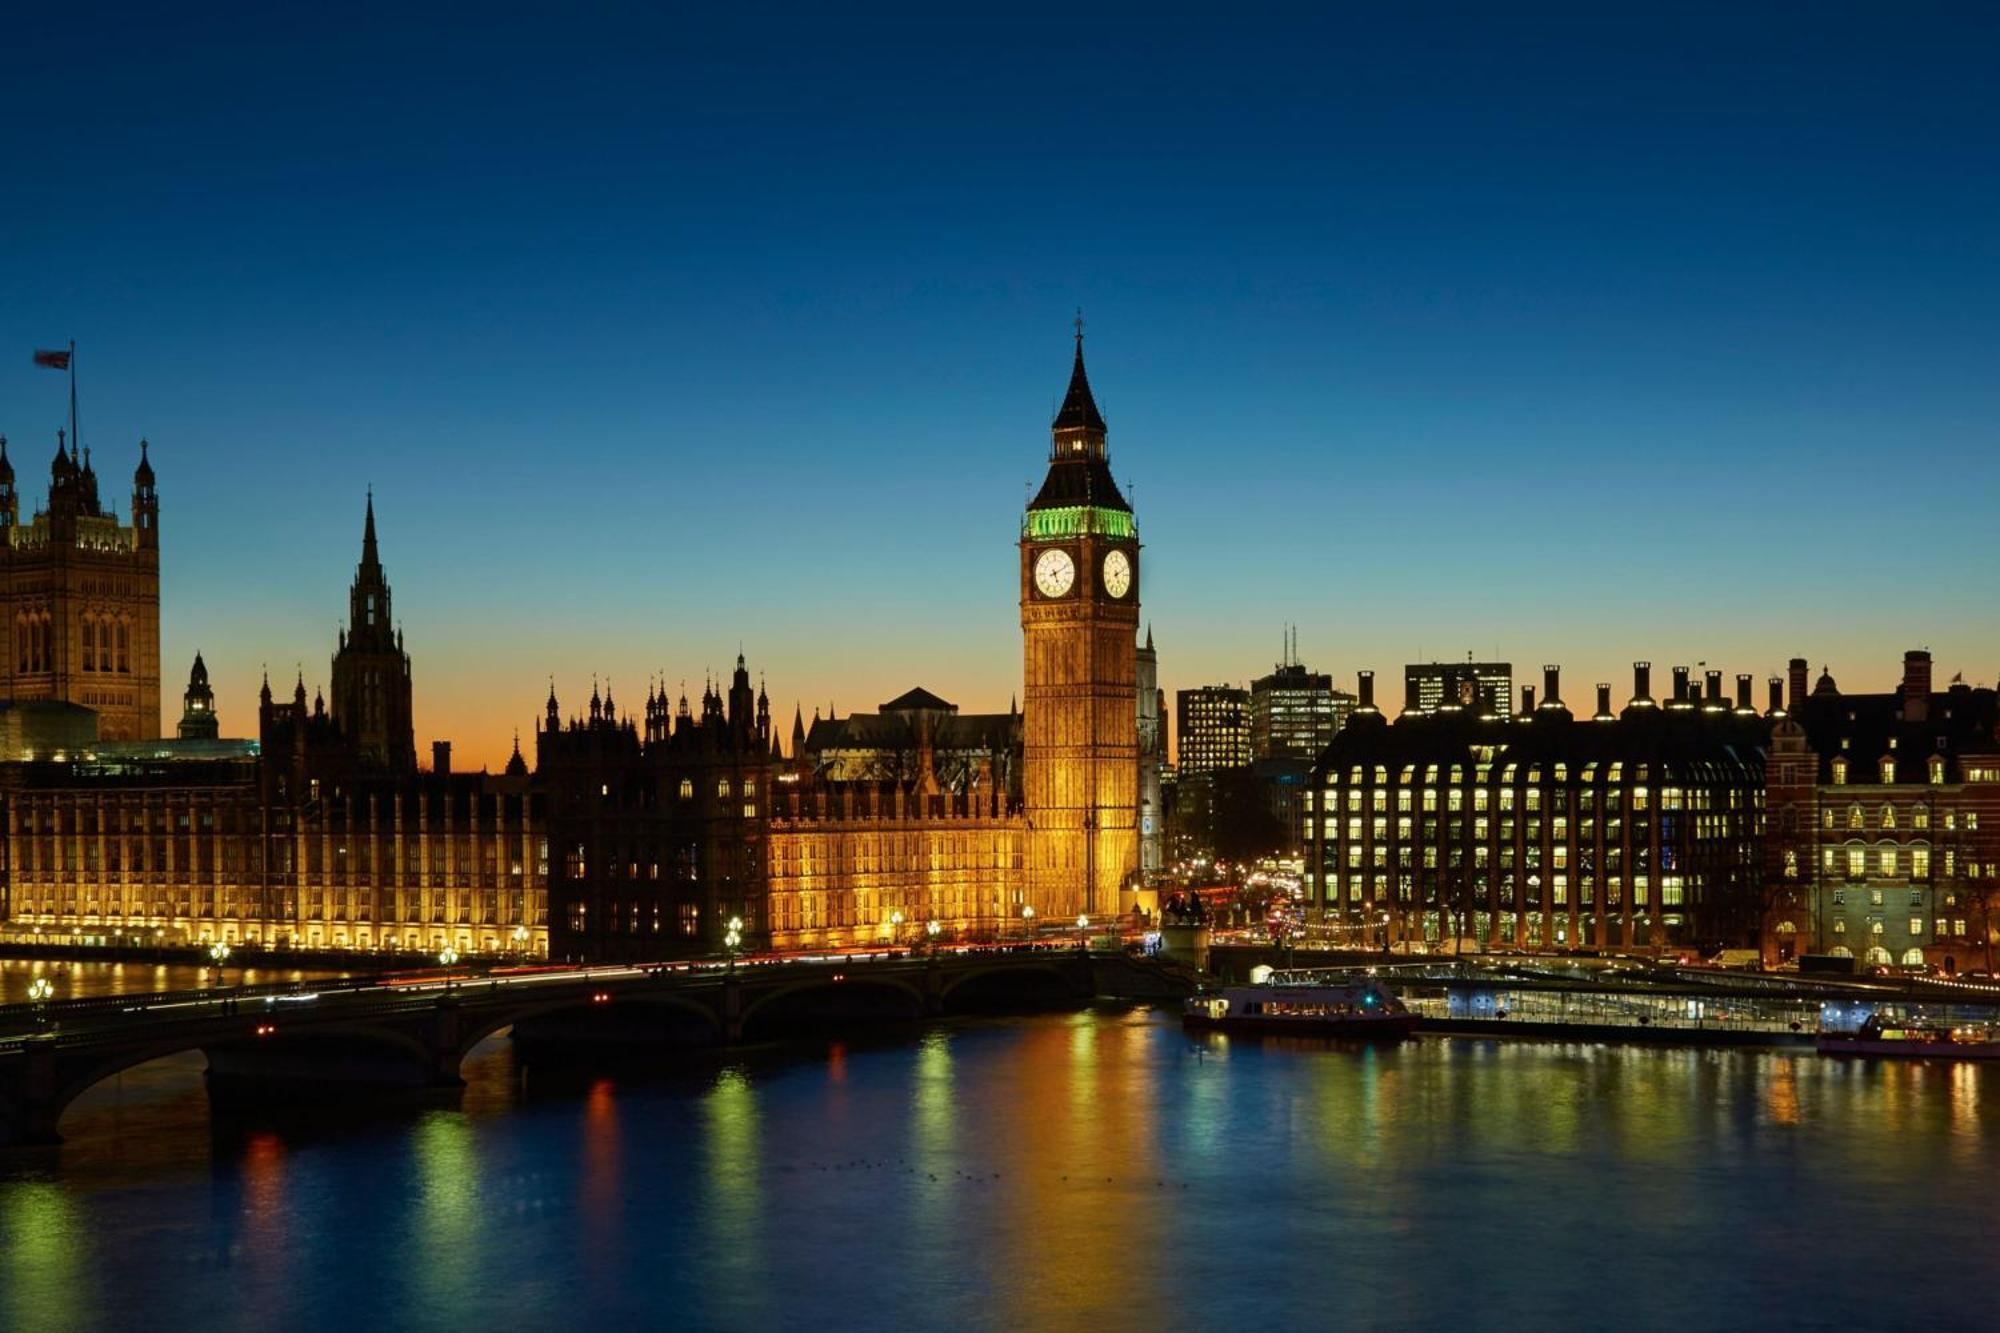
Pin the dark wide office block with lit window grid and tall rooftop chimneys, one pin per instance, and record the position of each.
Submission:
(1547, 832)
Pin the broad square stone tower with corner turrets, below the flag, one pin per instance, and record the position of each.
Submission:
(81, 597)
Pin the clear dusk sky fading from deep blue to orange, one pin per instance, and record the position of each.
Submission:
(1557, 331)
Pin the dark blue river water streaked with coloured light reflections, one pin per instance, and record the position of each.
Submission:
(1059, 1172)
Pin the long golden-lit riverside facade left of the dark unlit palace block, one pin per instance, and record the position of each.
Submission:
(307, 838)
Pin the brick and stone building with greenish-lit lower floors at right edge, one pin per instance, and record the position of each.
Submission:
(1885, 824)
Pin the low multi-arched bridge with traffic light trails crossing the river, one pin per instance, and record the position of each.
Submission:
(415, 1030)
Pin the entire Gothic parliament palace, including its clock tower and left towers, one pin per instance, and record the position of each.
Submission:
(631, 834)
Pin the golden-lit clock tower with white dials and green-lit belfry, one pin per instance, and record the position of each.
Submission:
(1079, 619)
